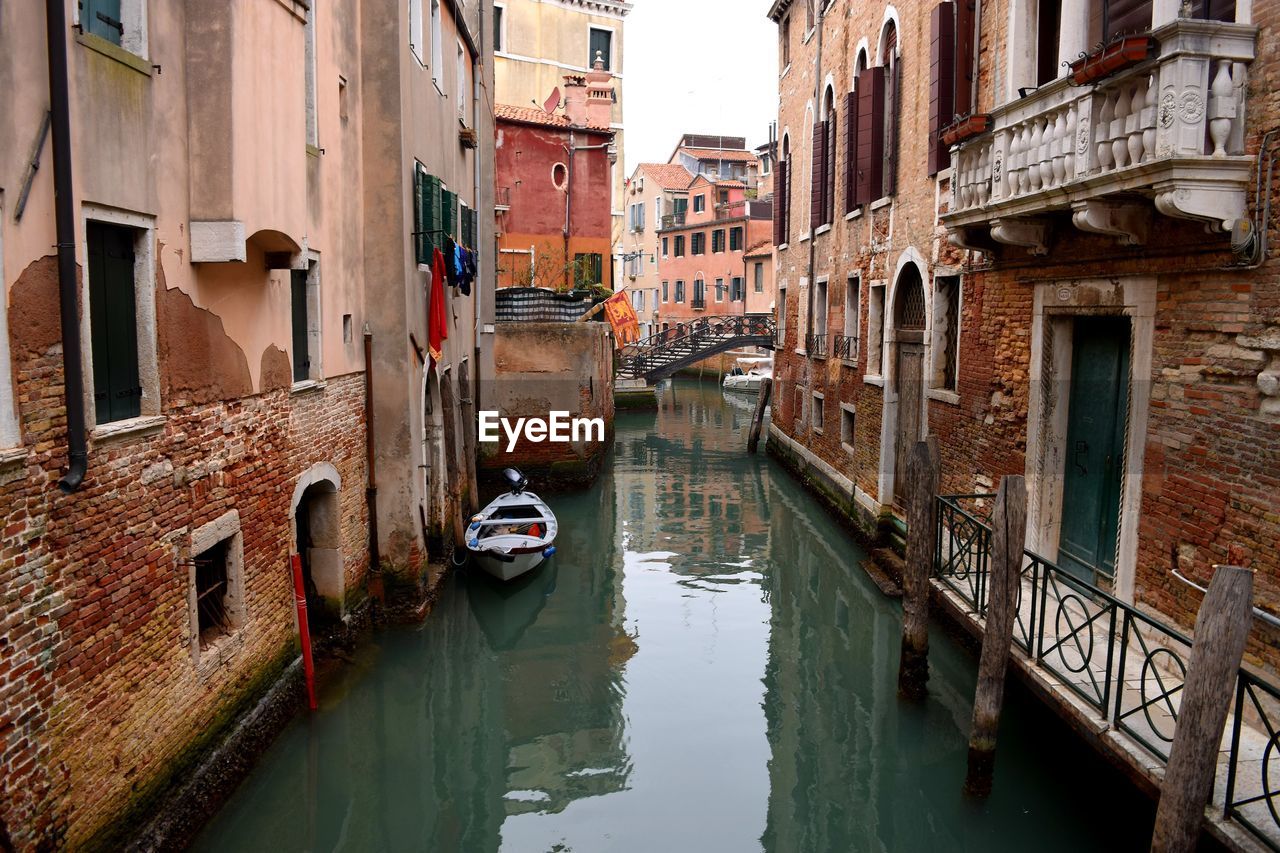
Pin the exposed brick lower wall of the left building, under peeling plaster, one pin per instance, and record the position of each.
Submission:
(100, 695)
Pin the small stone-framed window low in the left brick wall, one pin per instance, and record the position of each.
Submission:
(216, 580)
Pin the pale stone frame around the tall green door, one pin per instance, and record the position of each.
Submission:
(1057, 308)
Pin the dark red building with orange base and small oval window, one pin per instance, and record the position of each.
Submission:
(554, 176)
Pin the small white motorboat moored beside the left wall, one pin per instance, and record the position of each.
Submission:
(515, 533)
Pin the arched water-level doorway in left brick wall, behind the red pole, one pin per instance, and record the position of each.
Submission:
(318, 541)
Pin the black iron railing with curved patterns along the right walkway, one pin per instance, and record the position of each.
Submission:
(1128, 667)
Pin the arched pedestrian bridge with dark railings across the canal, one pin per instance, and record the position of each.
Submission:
(661, 355)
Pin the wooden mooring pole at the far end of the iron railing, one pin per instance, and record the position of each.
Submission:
(922, 517)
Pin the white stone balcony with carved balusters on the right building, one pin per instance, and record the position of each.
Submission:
(1165, 135)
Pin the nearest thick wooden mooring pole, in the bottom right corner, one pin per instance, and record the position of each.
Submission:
(1222, 631)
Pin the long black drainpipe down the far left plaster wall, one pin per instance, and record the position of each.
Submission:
(65, 211)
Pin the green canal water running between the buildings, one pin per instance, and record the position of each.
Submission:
(703, 667)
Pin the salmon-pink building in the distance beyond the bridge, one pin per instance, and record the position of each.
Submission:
(702, 250)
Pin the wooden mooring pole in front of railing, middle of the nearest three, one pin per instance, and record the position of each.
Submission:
(1008, 540)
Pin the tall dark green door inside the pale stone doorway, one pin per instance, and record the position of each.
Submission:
(1095, 448)
